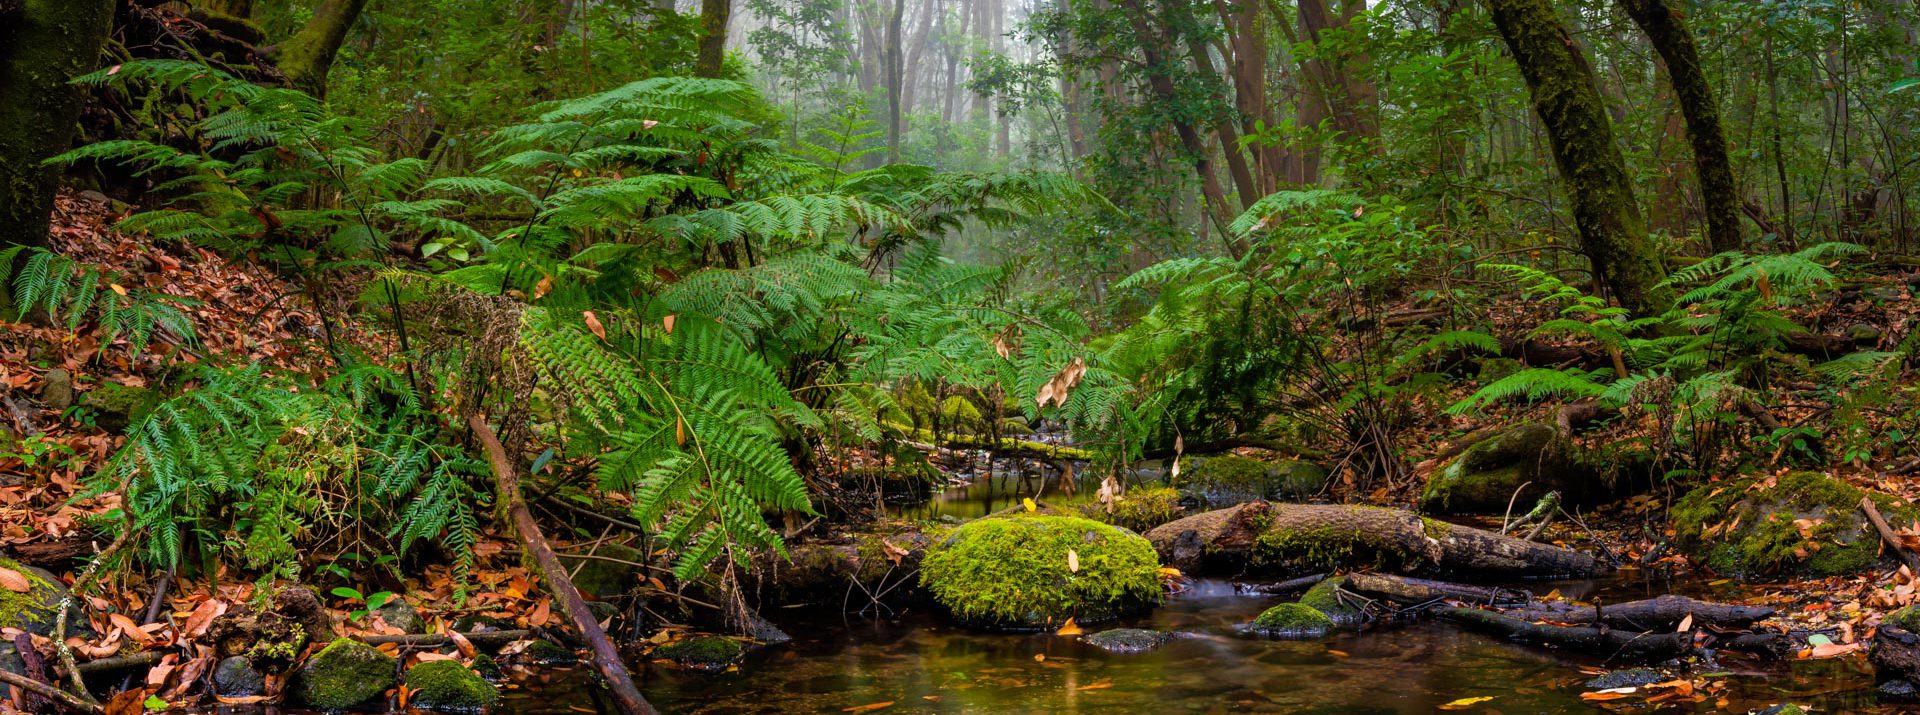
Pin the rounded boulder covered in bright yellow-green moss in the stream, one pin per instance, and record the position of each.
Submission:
(1036, 572)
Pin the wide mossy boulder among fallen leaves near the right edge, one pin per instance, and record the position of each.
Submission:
(1800, 524)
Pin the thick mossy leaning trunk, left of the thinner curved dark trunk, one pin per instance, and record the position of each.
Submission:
(1614, 235)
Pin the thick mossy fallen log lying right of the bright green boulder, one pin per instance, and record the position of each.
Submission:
(1262, 537)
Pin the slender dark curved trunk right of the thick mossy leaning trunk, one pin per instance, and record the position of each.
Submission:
(1712, 166)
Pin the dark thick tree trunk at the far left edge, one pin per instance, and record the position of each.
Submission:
(43, 45)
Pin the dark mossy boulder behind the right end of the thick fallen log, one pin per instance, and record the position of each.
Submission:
(1514, 468)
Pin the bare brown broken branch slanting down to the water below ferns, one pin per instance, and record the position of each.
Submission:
(606, 658)
